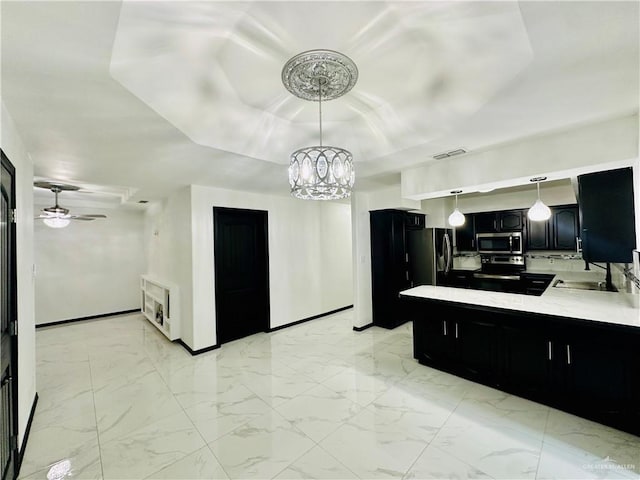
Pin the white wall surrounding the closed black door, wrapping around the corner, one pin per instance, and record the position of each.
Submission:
(309, 256)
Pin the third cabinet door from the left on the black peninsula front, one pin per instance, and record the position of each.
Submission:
(527, 360)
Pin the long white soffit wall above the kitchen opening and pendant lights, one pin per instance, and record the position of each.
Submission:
(594, 147)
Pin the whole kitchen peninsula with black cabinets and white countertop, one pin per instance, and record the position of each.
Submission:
(576, 350)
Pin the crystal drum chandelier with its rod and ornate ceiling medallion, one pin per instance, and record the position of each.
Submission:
(320, 172)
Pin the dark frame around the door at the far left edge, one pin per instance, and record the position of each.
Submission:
(13, 315)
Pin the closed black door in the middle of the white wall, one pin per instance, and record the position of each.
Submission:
(241, 272)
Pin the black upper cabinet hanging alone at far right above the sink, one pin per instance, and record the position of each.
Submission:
(607, 215)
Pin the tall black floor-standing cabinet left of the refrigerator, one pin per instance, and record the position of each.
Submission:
(389, 263)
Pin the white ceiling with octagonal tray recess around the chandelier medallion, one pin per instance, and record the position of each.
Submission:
(136, 99)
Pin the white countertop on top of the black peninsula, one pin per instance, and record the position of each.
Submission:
(610, 307)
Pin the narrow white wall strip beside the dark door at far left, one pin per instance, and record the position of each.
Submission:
(14, 149)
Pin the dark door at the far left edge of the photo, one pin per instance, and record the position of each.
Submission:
(8, 326)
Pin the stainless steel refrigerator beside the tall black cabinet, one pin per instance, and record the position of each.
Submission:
(430, 255)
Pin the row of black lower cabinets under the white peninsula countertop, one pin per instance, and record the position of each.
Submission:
(587, 368)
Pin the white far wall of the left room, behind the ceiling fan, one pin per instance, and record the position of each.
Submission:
(89, 268)
